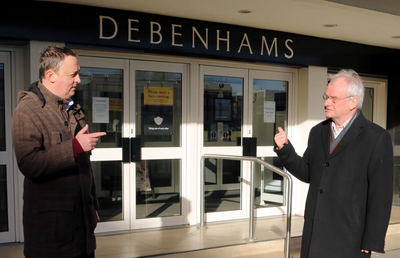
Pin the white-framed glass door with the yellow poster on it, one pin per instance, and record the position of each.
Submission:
(159, 111)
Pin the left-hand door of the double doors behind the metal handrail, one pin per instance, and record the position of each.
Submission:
(223, 100)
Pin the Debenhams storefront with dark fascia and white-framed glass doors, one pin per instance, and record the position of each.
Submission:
(168, 90)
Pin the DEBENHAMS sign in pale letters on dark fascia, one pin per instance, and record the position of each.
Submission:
(196, 37)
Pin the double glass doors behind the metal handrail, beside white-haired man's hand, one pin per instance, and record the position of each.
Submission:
(242, 103)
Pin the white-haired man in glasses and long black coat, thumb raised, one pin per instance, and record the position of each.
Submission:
(349, 166)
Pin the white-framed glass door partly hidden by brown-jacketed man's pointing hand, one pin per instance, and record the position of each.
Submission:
(104, 95)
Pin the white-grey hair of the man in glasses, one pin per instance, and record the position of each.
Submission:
(355, 86)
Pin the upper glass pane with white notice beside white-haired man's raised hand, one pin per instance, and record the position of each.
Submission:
(269, 109)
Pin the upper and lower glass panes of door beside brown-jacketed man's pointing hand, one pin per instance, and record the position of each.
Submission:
(100, 94)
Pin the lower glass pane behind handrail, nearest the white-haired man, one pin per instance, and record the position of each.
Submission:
(269, 186)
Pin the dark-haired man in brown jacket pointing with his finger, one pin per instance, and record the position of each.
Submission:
(52, 148)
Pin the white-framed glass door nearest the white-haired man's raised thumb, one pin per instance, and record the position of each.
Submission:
(269, 110)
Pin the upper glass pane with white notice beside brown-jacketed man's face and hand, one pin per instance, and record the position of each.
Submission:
(100, 94)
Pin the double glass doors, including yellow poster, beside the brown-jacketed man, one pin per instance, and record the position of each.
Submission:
(138, 164)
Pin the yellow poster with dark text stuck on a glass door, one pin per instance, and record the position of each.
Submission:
(158, 96)
